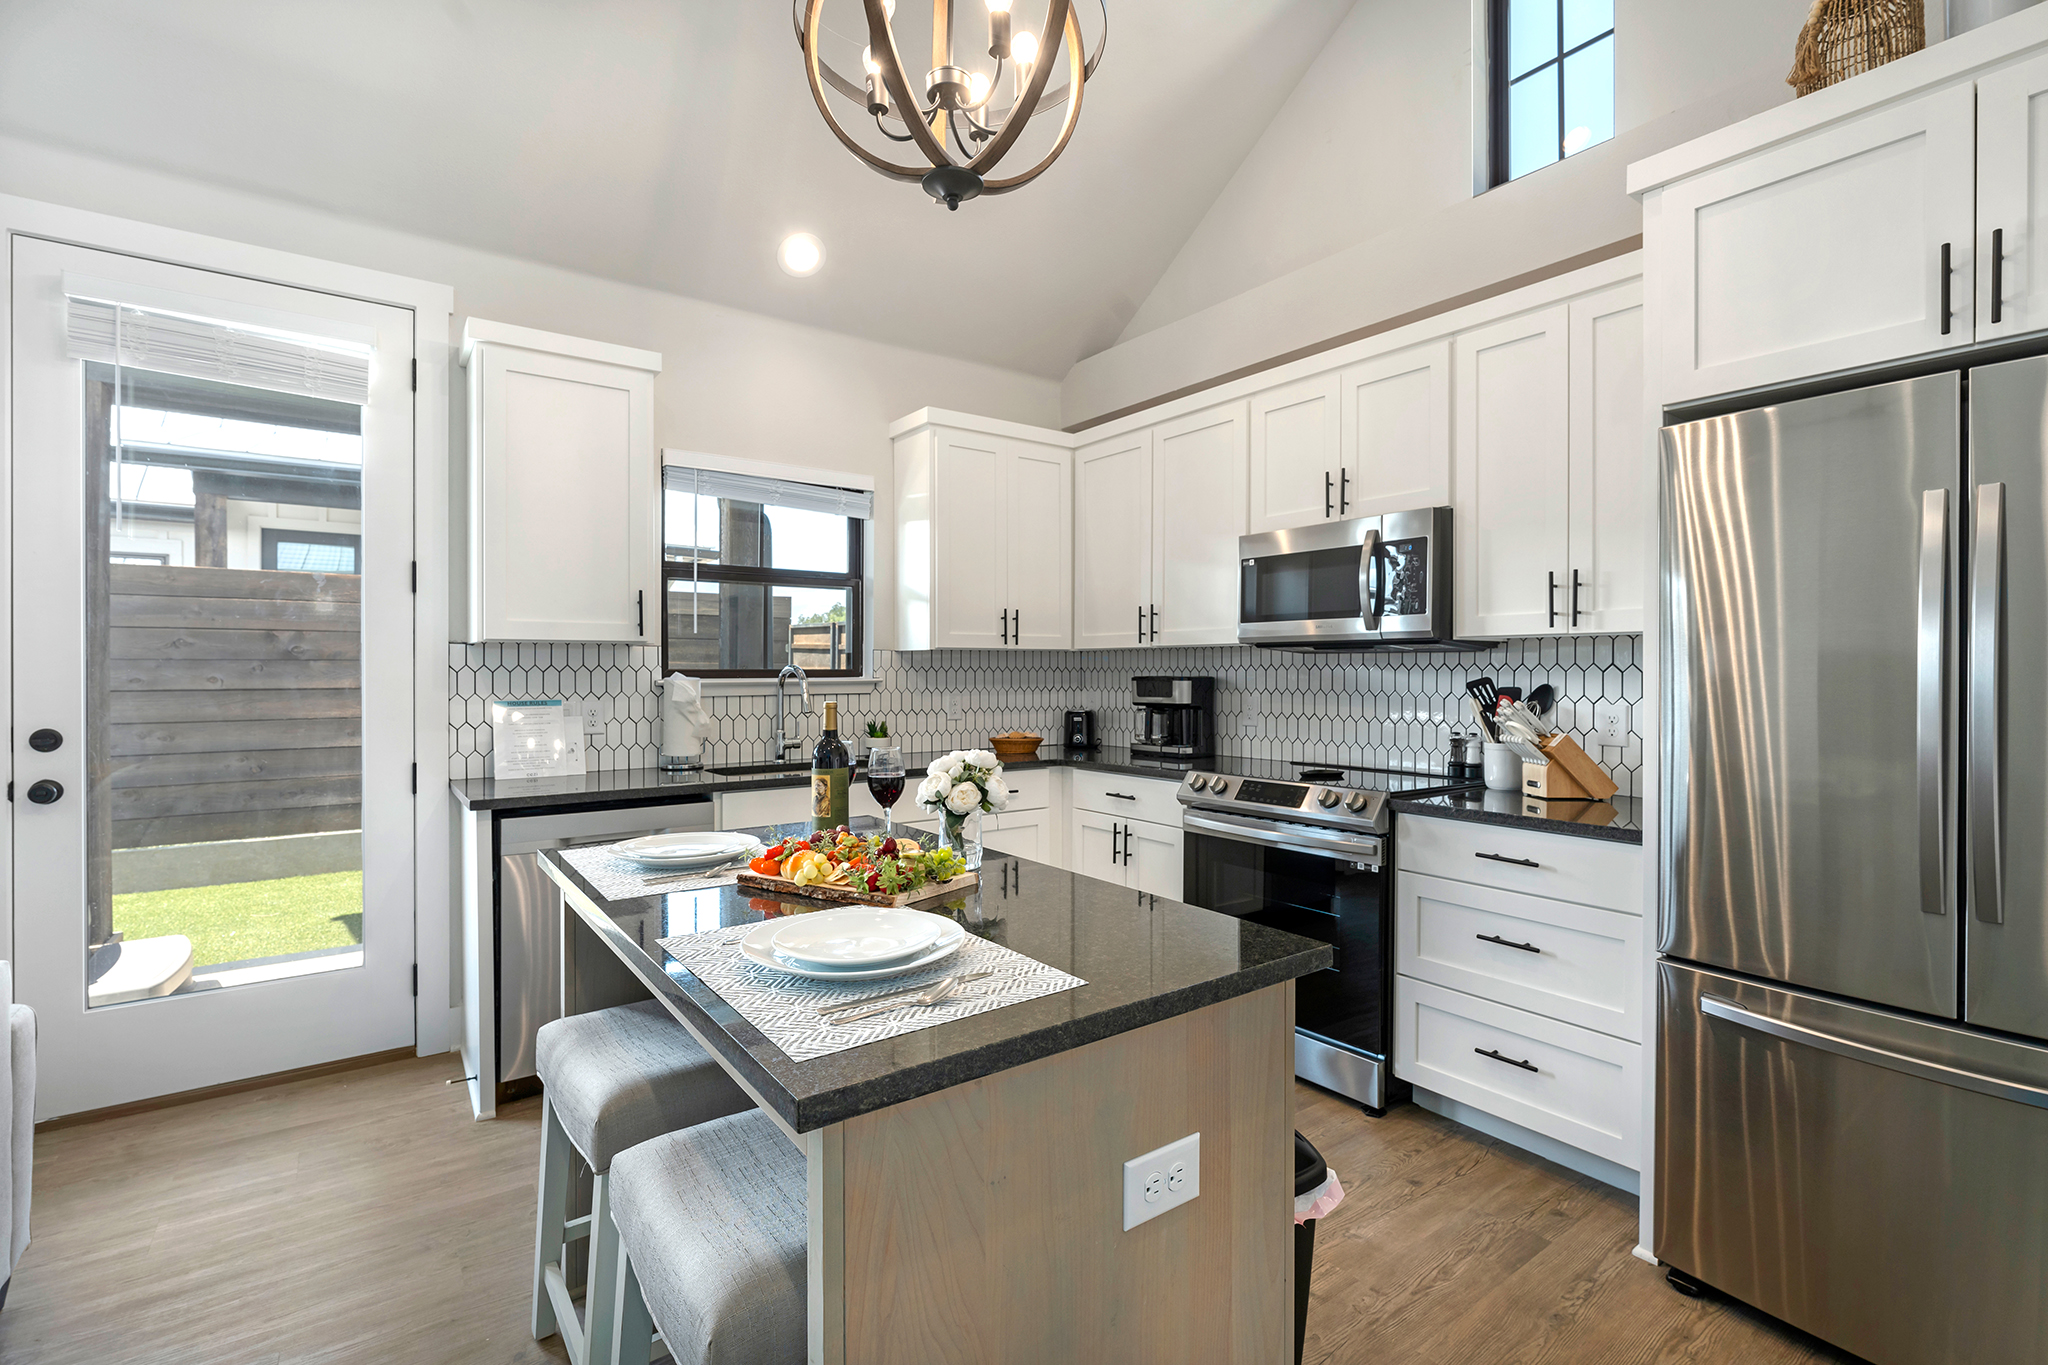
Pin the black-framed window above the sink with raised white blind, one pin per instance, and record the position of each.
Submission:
(759, 574)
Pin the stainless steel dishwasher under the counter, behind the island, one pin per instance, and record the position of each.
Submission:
(529, 918)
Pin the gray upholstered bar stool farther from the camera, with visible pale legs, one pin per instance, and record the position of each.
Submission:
(611, 1080)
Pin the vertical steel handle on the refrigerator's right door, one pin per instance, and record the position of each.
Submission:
(1988, 648)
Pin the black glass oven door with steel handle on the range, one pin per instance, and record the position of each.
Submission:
(1334, 897)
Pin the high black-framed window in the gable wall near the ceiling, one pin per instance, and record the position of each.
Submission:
(1551, 67)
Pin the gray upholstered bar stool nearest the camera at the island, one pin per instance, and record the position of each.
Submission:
(712, 1227)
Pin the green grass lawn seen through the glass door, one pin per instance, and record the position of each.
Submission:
(251, 920)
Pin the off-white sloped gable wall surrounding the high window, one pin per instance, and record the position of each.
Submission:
(1357, 204)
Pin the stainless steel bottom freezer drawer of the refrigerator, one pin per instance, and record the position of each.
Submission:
(1875, 1180)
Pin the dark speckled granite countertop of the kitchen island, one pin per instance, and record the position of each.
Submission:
(1142, 957)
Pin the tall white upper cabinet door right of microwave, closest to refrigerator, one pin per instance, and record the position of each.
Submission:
(1613, 457)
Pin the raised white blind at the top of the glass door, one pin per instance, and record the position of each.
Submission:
(218, 351)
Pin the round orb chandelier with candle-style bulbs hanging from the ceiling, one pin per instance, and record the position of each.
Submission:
(968, 120)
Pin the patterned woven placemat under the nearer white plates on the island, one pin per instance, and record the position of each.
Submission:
(785, 1008)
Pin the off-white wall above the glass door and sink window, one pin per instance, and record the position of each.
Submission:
(732, 384)
